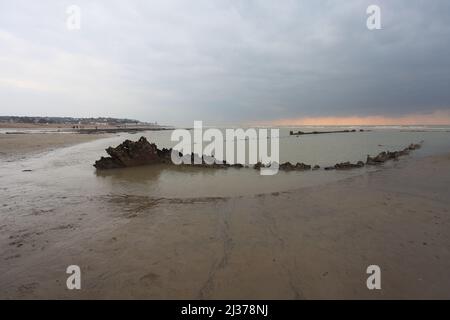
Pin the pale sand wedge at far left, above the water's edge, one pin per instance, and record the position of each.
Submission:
(20, 145)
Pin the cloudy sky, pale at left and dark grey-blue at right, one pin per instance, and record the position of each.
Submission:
(228, 61)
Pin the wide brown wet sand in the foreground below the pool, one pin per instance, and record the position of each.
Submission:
(314, 242)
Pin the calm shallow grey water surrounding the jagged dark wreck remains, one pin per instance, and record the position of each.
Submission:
(68, 172)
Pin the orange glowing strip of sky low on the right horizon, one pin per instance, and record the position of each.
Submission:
(435, 118)
